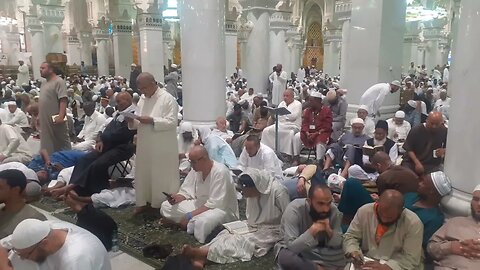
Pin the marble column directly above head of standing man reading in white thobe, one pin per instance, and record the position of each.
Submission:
(151, 43)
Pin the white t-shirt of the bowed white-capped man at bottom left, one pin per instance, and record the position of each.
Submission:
(81, 251)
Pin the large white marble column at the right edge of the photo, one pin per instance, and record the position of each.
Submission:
(462, 148)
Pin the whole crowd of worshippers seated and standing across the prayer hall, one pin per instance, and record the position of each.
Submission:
(371, 197)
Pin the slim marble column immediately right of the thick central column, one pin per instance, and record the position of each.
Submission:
(230, 44)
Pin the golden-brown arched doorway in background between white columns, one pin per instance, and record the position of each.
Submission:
(313, 55)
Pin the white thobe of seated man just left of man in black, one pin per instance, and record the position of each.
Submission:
(92, 126)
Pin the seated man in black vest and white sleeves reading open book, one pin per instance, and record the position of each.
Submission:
(365, 167)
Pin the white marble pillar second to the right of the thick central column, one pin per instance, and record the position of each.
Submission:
(256, 67)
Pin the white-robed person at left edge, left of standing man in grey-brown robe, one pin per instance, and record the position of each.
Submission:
(13, 146)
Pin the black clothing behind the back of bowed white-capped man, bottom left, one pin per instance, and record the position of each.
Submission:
(98, 223)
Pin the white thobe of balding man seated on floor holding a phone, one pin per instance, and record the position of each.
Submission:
(216, 192)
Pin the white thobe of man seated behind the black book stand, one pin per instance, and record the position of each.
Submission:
(288, 126)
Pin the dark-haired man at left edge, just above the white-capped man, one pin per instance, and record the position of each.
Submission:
(14, 208)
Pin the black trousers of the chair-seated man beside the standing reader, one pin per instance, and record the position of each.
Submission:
(90, 174)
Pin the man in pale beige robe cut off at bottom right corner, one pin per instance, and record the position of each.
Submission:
(455, 245)
